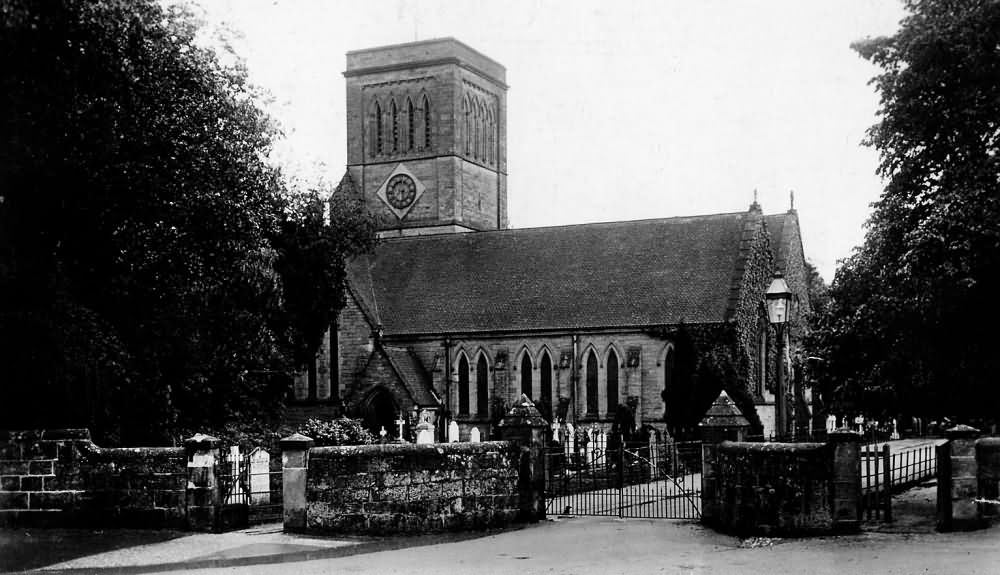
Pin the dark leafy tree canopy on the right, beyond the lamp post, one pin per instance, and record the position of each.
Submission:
(912, 323)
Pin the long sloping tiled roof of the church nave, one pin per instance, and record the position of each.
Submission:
(618, 274)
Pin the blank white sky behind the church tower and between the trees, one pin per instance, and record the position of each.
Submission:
(618, 110)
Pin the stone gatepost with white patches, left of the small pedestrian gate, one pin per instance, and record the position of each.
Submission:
(204, 496)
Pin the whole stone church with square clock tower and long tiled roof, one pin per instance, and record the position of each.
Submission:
(453, 315)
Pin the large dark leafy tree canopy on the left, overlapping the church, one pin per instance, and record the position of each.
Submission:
(145, 240)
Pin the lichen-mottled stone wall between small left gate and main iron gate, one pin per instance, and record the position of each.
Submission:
(382, 489)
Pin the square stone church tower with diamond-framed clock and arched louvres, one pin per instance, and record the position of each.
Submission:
(427, 137)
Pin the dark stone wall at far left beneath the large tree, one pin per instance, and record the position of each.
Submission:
(60, 478)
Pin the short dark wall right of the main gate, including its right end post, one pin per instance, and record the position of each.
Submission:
(781, 488)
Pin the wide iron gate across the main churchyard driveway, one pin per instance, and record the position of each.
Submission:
(598, 474)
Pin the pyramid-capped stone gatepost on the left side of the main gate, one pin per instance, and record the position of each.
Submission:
(526, 427)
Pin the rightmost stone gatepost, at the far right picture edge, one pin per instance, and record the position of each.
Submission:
(958, 480)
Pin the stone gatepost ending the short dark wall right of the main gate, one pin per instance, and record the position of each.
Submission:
(846, 498)
